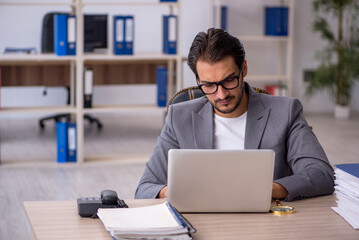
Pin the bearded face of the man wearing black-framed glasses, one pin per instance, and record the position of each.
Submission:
(226, 103)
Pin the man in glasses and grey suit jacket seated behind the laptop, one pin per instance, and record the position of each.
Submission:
(233, 116)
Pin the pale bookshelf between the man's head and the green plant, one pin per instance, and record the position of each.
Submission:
(284, 44)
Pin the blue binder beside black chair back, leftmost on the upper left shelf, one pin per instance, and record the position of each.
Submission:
(60, 32)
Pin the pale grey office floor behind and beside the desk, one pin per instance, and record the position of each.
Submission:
(29, 171)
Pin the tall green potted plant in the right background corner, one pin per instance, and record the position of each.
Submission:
(339, 60)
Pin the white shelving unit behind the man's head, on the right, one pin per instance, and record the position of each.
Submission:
(285, 43)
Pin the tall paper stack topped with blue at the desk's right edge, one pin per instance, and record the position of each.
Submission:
(347, 192)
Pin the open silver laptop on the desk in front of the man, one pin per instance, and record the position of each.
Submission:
(212, 180)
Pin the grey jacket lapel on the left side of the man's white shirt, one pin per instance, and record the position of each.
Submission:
(203, 127)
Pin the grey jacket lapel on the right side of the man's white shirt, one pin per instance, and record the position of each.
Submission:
(257, 118)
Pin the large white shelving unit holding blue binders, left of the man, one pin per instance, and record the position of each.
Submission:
(78, 62)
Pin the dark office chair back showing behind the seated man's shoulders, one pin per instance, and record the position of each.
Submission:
(191, 93)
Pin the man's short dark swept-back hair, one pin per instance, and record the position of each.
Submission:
(214, 46)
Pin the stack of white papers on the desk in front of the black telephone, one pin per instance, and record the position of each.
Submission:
(152, 222)
